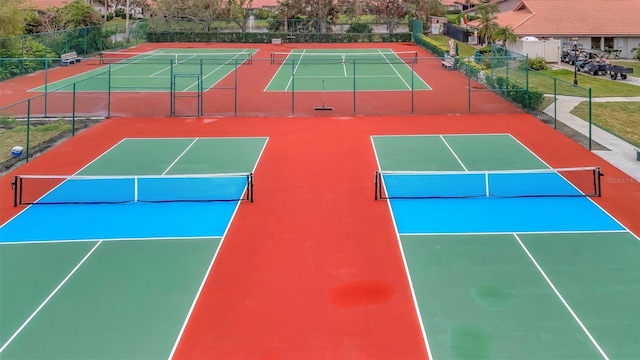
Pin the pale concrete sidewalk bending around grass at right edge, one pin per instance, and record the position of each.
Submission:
(621, 154)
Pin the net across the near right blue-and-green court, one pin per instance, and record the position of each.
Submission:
(562, 182)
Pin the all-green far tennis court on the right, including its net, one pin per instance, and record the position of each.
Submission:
(345, 70)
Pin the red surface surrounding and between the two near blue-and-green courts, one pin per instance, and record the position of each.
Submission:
(312, 268)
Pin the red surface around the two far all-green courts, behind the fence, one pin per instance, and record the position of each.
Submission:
(242, 92)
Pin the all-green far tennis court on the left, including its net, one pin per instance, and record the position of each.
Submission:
(159, 70)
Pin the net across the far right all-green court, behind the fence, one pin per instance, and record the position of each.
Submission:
(400, 57)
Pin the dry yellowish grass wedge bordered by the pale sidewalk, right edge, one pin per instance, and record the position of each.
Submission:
(620, 118)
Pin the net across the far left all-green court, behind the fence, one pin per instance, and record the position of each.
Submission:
(220, 58)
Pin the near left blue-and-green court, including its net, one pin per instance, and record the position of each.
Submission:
(109, 262)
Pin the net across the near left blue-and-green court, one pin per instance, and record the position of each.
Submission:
(52, 189)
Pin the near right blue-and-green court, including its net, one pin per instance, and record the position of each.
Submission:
(508, 260)
